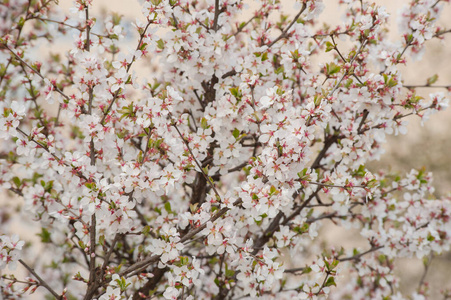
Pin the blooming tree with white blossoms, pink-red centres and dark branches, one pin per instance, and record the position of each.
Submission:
(212, 178)
